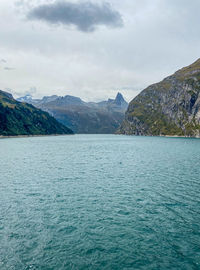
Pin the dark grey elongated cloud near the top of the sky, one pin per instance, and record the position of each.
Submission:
(85, 16)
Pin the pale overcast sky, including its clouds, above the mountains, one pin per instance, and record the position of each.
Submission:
(94, 49)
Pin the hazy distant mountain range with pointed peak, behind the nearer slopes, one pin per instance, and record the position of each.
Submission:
(85, 117)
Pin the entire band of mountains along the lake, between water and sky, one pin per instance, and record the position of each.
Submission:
(167, 108)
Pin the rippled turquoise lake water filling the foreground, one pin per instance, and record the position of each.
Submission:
(99, 202)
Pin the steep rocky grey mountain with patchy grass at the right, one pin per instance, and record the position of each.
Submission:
(170, 107)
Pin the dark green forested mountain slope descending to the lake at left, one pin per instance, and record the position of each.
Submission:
(18, 118)
